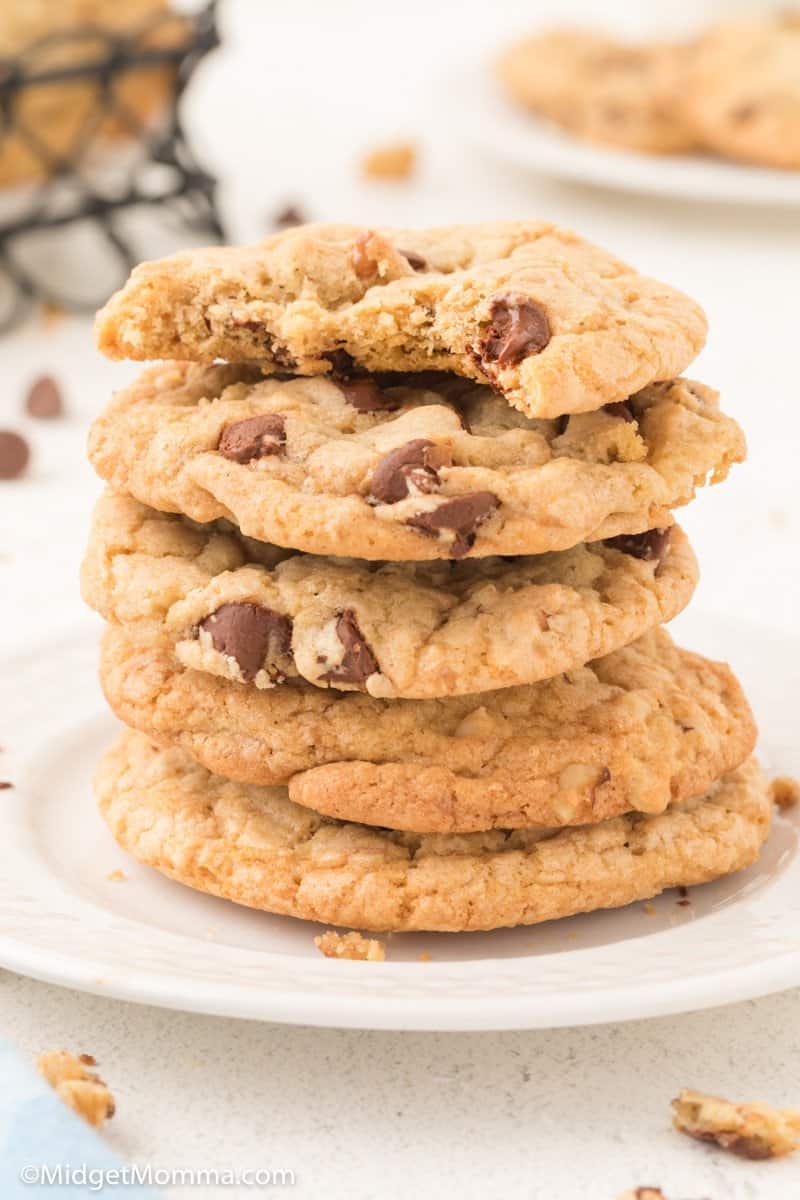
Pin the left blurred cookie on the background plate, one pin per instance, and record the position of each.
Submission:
(601, 89)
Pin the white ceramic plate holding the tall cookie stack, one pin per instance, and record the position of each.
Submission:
(151, 940)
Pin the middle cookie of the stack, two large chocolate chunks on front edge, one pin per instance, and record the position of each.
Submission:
(414, 631)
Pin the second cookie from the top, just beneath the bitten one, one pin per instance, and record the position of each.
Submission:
(407, 467)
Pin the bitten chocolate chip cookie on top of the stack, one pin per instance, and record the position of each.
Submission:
(554, 323)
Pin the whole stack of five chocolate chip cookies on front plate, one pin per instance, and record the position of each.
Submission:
(386, 557)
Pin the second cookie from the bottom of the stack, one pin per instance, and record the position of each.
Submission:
(645, 728)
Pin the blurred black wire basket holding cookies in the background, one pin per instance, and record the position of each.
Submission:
(79, 220)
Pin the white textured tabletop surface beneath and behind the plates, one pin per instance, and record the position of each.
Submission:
(566, 1115)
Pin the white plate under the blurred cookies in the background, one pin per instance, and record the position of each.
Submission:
(488, 119)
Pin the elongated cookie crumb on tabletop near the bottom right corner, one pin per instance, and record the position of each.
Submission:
(751, 1131)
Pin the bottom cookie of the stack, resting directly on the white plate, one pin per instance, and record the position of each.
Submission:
(255, 847)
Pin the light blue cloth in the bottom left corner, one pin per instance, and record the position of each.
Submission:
(38, 1131)
